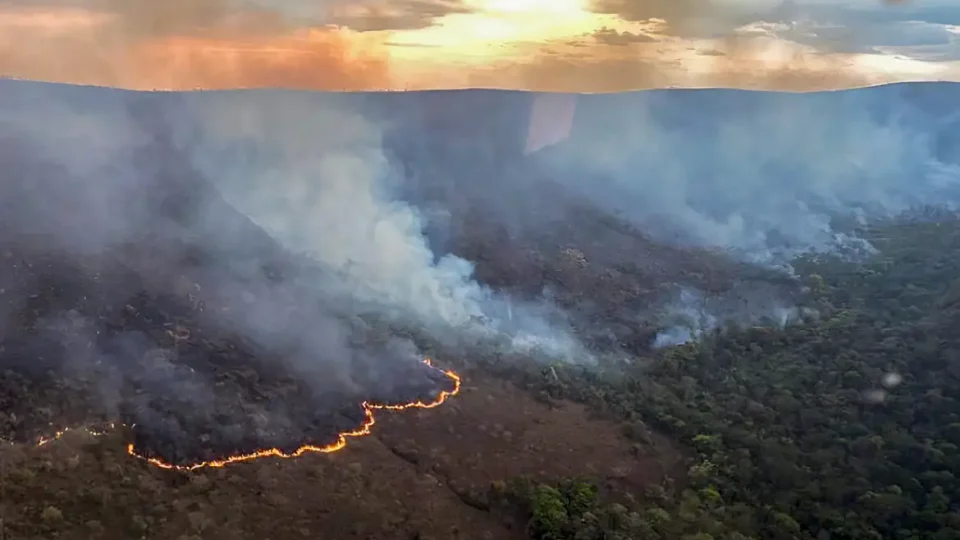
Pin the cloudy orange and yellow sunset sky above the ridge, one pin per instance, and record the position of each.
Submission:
(547, 45)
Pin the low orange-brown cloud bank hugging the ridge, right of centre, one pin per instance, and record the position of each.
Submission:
(746, 61)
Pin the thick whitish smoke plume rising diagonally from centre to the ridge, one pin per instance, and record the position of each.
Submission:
(333, 195)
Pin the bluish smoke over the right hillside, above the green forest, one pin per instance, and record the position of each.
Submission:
(671, 187)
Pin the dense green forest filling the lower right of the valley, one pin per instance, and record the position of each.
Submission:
(845, 426)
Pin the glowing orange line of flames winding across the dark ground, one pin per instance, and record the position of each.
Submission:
(339, 444)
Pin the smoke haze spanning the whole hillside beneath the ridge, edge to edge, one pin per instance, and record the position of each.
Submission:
(628, 219)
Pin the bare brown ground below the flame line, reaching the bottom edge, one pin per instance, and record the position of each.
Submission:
(423, 474)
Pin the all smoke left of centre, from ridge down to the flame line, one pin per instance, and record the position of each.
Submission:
(237, 265)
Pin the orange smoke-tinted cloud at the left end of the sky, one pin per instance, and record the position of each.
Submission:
(182, 44)
